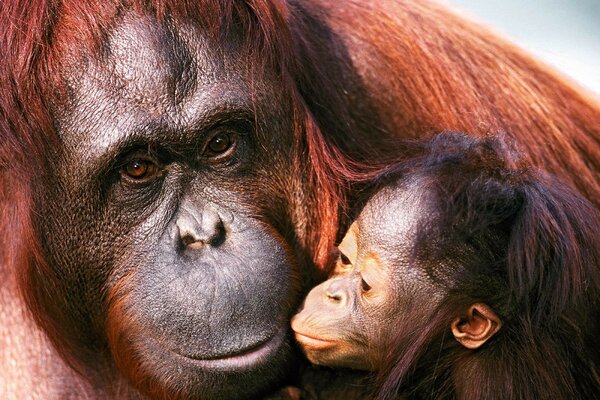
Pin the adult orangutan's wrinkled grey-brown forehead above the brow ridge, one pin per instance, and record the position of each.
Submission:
(164, 77)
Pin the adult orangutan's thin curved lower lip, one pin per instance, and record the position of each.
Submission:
(246, 358)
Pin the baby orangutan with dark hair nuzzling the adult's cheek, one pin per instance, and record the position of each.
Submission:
(466, 275)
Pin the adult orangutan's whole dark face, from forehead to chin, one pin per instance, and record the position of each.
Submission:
(156, 216)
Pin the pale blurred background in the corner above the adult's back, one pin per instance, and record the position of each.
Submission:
(563, 33)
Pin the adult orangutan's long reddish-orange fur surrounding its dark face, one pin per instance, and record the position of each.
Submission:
(360, 74)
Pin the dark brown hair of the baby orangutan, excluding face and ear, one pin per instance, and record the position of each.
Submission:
(510, 236)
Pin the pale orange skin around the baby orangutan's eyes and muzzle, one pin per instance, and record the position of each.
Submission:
(335, 325)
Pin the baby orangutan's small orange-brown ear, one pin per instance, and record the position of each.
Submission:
(479, 325)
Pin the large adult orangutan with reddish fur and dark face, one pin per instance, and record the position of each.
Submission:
(173, 172)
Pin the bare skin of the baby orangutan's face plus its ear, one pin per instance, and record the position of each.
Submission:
(351, 319)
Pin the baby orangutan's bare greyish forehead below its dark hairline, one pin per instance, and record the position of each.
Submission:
(392, 215)
